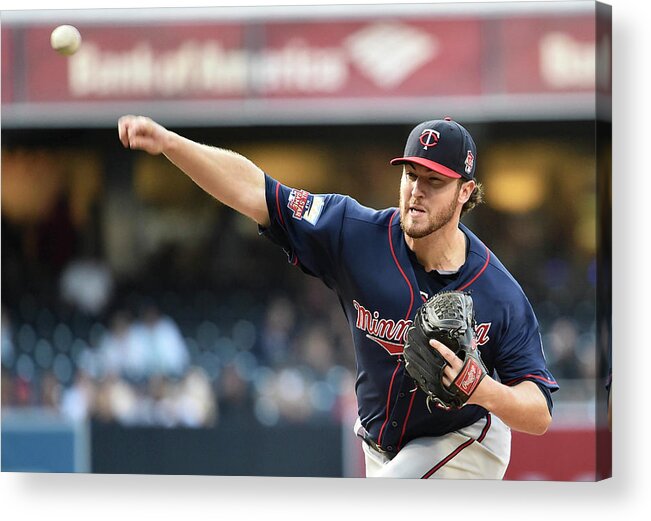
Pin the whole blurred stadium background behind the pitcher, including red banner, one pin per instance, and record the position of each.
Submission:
(146, 328)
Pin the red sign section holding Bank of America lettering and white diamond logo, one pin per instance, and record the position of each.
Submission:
(307, 59)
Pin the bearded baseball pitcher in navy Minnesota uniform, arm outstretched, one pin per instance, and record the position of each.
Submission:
(448, 349)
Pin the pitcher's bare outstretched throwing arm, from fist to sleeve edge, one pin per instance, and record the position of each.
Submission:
(226, 175)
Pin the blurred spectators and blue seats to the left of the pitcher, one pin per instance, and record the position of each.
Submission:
(135, 364)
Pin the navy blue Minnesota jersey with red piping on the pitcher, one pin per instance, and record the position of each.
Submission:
(361, 254)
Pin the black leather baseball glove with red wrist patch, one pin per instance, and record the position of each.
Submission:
(449, 318)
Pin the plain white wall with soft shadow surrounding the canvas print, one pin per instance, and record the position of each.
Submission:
(97, 497)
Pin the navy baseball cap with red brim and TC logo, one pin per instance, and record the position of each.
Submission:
(441, 145)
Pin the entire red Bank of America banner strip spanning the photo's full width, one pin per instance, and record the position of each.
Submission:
(400, 61)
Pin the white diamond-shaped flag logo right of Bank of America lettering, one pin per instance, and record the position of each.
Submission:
(388, 53)
